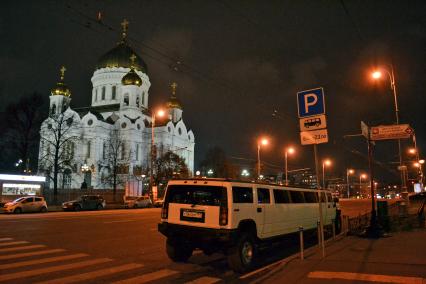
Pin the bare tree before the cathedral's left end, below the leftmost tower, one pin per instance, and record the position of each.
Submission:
(58, 134)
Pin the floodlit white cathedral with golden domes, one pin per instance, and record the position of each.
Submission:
(81, 138)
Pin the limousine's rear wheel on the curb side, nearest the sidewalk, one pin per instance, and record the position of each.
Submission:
(242, 257)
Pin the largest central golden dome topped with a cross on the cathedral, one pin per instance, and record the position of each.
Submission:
(120, 55)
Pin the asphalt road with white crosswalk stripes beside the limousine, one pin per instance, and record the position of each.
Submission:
(104, 247)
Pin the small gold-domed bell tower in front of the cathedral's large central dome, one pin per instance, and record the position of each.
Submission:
(131, 88)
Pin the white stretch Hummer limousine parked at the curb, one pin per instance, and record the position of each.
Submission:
(234, 217)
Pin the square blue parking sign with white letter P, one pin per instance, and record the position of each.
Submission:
(311, 102)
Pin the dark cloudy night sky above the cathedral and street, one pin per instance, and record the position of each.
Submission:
(237, 63)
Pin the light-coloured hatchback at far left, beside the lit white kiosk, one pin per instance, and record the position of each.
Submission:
(26, 204)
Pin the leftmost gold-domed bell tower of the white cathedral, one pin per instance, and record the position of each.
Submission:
(60, 97)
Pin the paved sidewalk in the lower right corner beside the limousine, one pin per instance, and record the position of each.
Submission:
(399, 258)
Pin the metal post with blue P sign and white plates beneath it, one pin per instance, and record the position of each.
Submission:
(313, 131)
